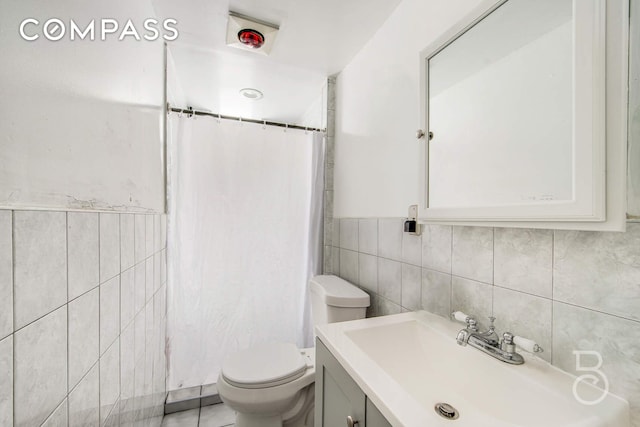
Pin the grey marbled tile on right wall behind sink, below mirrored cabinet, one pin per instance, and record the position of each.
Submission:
(567, 290)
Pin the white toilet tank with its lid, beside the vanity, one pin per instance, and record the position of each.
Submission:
(335, 300)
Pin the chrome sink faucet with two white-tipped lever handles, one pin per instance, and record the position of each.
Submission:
(488, 341)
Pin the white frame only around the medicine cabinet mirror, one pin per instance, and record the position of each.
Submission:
(589, 126)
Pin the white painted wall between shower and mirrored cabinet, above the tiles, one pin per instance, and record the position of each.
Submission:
(378, 112)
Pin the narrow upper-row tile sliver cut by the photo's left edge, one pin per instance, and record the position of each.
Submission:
(6, 275)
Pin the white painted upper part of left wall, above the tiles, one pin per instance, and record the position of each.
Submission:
(82, 121)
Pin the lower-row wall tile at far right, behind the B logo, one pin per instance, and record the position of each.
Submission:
(615, 339)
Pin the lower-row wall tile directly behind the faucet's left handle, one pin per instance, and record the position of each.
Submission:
(473, 298)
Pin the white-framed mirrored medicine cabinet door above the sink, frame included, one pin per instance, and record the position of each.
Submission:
(514, 100)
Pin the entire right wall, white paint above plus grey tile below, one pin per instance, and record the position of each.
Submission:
(569, 290)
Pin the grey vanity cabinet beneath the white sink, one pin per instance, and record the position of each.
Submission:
(338, 397)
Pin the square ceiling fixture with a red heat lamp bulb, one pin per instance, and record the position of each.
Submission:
(250, 34)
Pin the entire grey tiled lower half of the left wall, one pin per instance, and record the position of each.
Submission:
(82, 318)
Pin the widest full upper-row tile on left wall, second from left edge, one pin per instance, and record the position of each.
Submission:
(40, 269)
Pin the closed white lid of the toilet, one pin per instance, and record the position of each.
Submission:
(264, 365)
